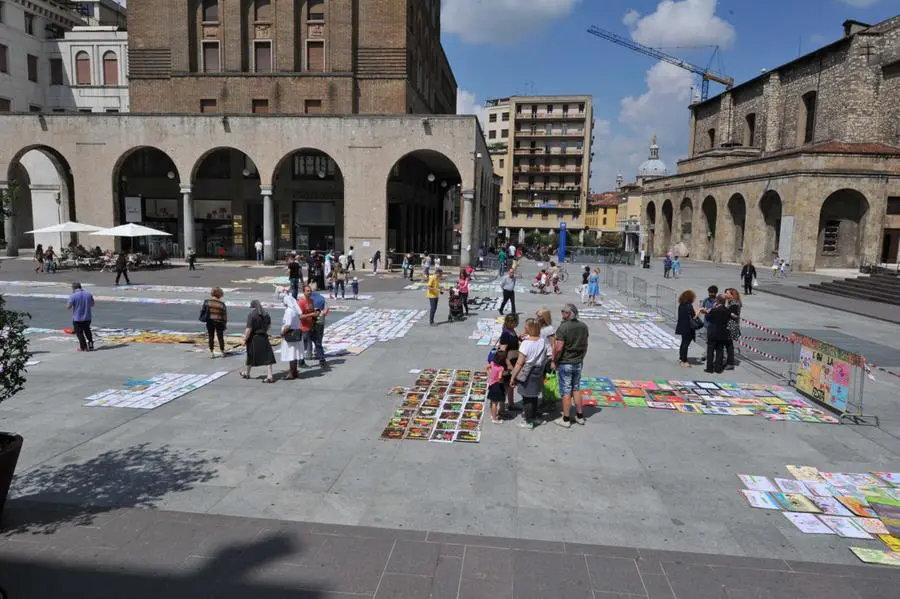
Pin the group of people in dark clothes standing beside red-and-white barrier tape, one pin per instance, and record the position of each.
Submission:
(720, 317)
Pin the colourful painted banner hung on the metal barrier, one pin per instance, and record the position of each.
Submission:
(825, 372)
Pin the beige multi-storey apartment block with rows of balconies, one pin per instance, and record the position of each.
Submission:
(541, 147)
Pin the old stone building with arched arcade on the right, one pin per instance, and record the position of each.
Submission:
(802, 162)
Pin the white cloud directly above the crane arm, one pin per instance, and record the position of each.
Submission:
(681, 23)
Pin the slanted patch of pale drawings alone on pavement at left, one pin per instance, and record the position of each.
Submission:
(151, 393)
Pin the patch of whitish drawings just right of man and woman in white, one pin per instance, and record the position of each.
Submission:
(359, 331)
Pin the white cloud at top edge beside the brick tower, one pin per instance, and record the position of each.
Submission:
(500, 21)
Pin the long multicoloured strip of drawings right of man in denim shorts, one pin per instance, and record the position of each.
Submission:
(772, 402)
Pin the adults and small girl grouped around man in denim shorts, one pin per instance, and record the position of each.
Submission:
(520, 362)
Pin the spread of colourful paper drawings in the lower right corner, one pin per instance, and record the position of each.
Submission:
(863, 506)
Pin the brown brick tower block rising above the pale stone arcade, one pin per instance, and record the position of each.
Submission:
(289, 57)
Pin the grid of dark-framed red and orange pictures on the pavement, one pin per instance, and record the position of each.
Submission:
(443, 406)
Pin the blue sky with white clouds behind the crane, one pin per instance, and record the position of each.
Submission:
(499, 48)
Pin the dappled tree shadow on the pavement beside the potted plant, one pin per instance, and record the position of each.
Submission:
(135, 477)
